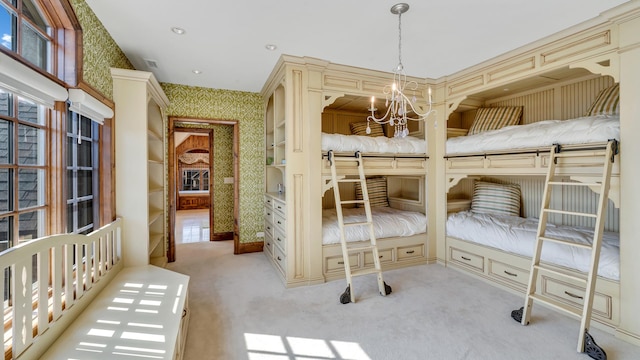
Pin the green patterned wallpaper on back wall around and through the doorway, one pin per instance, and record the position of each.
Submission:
(247, 109)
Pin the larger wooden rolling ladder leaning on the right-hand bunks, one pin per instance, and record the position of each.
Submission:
(585, 340)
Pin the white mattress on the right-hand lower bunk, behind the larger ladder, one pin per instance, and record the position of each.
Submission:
(517, 235)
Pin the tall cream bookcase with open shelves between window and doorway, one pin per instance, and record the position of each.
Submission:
(141, 189)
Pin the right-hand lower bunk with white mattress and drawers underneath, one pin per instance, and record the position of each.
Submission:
(498, 249)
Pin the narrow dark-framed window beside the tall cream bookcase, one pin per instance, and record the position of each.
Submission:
(82, 174)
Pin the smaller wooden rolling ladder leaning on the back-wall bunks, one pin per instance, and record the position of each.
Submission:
(347, 249)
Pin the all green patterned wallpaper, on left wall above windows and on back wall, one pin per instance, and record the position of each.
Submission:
(101, 53)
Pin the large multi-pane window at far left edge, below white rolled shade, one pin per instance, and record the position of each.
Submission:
(23, 172)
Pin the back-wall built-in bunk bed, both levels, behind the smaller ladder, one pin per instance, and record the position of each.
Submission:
(396, 182)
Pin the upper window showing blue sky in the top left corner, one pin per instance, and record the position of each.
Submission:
(26, 31)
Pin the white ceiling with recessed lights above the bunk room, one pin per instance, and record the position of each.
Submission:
(226, 40)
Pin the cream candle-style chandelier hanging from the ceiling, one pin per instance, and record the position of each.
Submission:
(400, 108)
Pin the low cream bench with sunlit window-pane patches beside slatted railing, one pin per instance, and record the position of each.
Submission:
(142, 305)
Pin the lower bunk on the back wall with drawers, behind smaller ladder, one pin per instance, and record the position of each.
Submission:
(399, 220)
